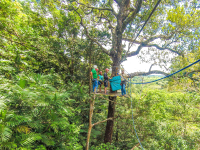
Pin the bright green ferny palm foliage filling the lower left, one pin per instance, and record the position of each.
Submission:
(36, 114)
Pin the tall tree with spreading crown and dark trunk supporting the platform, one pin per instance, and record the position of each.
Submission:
(170, 25)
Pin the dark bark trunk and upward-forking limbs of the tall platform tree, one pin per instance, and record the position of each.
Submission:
(124, 17)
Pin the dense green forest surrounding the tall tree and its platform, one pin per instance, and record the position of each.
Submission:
(45, 61)
